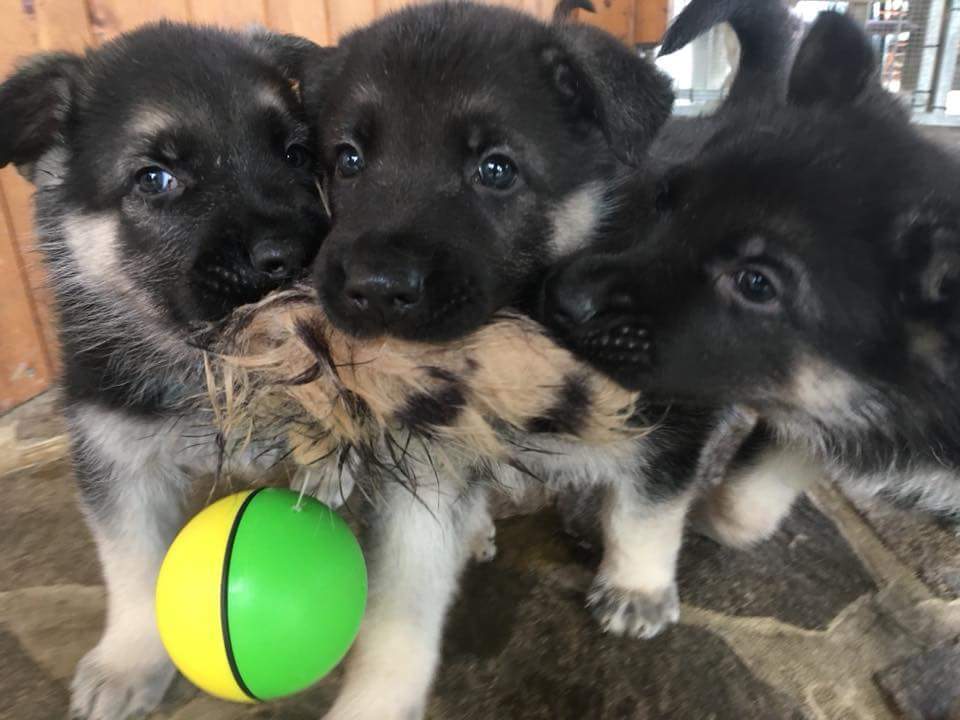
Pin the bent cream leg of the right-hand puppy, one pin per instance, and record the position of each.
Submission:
(751, 503)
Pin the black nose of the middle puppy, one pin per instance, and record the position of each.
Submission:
(386, 291)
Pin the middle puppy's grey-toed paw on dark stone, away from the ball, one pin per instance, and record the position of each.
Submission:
(633, 613)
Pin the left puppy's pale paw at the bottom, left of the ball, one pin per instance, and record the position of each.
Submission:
(114, 691)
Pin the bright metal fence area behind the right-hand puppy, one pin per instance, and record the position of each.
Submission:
(917, 41)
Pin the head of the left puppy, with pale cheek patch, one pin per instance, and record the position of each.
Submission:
(174, 164)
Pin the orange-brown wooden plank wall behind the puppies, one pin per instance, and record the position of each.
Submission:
(28, 355)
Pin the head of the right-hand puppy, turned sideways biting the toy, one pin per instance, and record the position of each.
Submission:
(776, 273)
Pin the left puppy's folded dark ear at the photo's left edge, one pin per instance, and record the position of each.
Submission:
(36, 101)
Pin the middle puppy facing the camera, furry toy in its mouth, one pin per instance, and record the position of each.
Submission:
(465, 148)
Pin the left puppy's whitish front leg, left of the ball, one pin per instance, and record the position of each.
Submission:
(132, 500)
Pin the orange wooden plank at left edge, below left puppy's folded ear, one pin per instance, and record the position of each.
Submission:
(24, 368)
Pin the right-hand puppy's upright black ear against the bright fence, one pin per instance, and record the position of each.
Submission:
(835, 64)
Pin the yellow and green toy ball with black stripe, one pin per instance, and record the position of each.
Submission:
(261, 595)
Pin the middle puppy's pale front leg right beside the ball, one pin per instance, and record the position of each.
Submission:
(421, 544)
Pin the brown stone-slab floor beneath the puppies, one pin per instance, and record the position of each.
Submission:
(845, 615)
